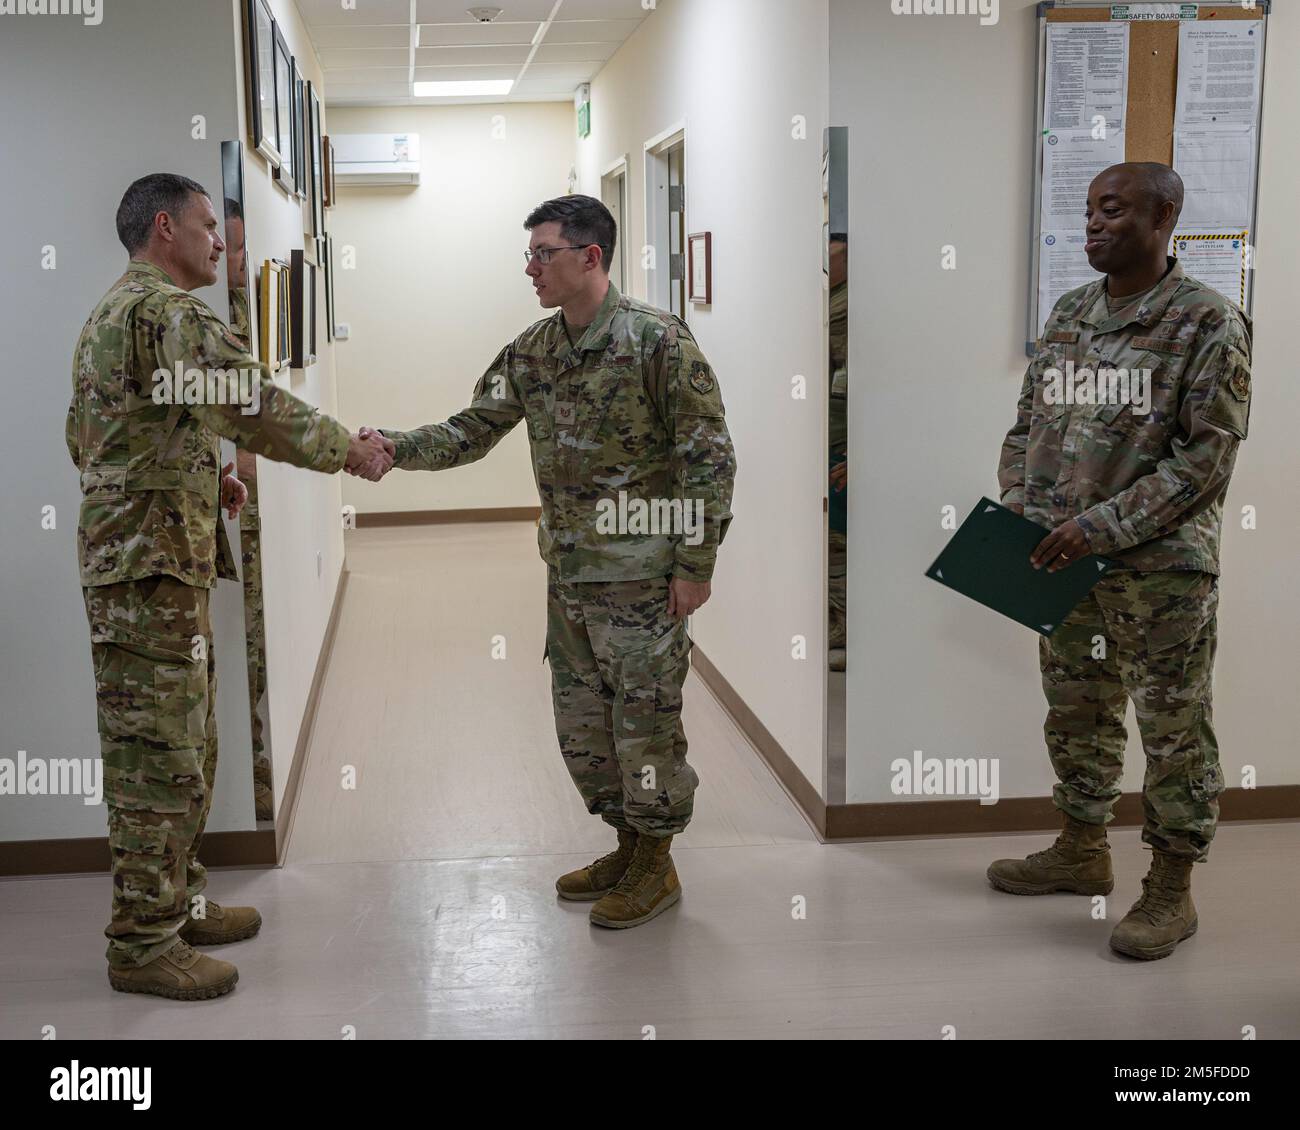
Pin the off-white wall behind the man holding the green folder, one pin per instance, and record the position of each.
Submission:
(942, 119)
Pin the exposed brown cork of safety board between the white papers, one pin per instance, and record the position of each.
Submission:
(1152, 76)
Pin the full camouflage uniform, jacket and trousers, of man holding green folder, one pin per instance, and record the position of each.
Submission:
(1149, 492)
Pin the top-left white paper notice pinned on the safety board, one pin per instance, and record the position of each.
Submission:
(1087, 76)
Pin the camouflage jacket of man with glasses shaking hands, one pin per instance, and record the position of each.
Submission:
(634, 409)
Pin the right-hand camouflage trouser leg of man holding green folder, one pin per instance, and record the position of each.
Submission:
(1176, 717)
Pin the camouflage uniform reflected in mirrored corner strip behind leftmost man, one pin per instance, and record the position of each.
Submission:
(250, 557)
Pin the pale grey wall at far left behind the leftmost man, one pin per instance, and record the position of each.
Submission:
(68, 164)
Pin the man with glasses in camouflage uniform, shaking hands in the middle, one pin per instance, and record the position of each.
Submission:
(635, 470)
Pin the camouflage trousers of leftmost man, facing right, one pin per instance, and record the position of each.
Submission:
(157, 691)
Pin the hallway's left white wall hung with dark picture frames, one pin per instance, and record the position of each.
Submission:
(302, 531)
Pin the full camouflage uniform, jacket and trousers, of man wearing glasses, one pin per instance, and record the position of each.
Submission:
(631, 408)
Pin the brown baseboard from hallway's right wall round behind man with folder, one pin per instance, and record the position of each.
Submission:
(904, 820)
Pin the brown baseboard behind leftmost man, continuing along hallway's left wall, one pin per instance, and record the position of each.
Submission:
(259, 848)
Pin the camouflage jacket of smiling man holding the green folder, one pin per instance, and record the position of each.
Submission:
(1146, 490)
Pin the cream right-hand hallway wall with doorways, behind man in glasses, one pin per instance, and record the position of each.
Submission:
(738, 73)
